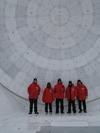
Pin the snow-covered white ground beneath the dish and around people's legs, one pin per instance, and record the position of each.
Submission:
(14, 116)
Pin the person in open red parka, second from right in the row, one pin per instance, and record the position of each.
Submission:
(71, 94)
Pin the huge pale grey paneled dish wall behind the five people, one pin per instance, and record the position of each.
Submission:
(50, 39)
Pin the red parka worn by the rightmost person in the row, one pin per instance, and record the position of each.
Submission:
(82, 92)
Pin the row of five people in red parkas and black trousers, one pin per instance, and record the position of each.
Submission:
(58, 93)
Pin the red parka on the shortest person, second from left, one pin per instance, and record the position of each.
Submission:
(48, 95)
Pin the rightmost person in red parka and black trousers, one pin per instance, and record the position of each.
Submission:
(82, 95)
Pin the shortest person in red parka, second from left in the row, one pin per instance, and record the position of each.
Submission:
(48, 98)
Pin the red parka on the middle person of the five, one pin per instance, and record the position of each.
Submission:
(59, 91)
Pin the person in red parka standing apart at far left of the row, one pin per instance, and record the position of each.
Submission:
(34, 92)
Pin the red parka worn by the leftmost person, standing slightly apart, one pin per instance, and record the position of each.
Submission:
(34, 90)
